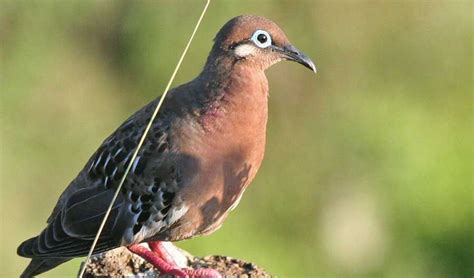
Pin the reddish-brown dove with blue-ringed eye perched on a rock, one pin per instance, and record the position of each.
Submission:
(202, 151)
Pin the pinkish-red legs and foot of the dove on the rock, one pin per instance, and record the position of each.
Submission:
(160, 258)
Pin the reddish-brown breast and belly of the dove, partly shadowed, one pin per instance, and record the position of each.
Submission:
(227, 153)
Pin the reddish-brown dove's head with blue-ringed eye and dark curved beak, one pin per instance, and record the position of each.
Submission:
(258, 42)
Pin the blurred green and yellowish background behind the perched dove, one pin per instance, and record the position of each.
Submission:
(368, 168)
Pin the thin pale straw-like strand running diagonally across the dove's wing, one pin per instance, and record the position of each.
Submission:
(158, 106)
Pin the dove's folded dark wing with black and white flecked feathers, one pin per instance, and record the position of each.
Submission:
(145, 196)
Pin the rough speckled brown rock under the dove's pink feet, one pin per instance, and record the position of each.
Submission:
(122, 263)
